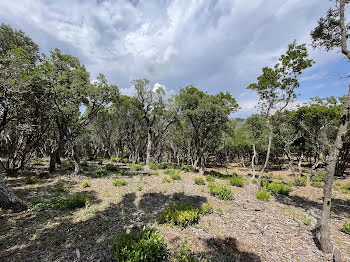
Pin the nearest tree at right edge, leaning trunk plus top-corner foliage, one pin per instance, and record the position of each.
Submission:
(332, 32)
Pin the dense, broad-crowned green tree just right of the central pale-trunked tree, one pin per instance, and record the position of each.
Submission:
(206, 115)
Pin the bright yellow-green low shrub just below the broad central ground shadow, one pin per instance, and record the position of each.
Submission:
(180, 215)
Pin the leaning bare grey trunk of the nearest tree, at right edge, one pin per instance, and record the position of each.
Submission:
(325, 239)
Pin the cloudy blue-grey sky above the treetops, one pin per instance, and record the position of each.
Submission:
(216, 45)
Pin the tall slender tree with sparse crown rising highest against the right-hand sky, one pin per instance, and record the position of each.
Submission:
(277, 88)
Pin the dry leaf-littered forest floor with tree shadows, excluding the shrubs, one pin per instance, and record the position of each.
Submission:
(242, 229)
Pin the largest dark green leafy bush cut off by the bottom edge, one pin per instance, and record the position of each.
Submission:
(142, 245)
